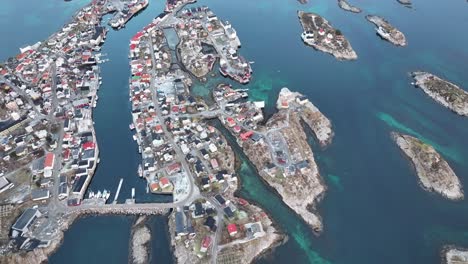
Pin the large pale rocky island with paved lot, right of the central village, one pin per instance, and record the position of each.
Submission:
(280, 152)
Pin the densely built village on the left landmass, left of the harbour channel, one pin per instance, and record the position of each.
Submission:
(48, 145)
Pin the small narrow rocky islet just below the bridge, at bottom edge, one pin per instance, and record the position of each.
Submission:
(140, 242)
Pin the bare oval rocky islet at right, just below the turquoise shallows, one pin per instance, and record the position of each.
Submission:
(433, 171)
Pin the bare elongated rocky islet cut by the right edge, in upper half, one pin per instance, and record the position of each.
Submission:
(443, 92)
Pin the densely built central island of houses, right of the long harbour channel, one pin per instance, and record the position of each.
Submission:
(182, 153)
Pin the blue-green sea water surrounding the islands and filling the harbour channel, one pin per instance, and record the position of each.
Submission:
(374, 210)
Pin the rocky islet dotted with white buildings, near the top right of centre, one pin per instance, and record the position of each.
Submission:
(319, 34)
